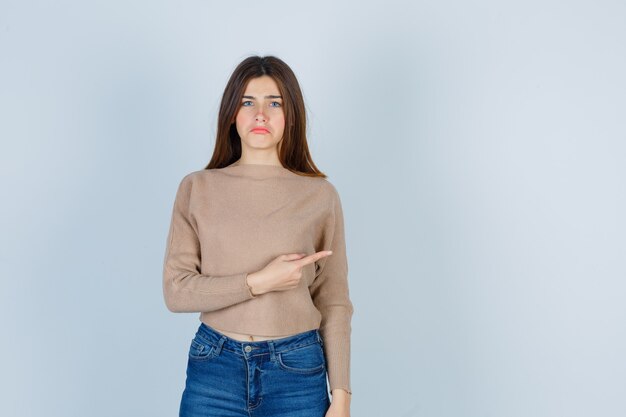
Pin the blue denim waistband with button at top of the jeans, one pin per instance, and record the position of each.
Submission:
(253, 348)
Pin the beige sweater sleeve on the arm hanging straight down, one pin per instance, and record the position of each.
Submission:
(330, 294)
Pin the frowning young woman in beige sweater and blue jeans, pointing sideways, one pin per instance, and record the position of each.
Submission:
(257, 247)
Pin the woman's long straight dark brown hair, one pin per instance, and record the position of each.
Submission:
(293, 150)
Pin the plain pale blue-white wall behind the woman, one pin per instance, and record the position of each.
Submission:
(478, 148)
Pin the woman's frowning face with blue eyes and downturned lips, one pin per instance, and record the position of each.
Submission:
(260, 119)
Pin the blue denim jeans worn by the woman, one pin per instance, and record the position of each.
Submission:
(283, 377)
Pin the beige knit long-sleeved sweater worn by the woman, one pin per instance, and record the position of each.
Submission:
(232, 221)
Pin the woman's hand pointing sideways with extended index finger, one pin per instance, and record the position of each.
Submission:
(283, 273)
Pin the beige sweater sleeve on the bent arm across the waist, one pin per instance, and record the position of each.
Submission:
(185, 289)
